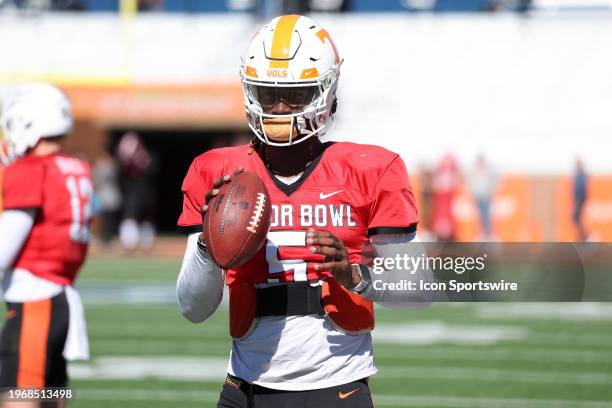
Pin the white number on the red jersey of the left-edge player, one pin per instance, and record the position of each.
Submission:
(81, 192)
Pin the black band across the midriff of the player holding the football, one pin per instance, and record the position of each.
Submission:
(291, 299)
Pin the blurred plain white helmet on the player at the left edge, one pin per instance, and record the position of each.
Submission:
(32, 112)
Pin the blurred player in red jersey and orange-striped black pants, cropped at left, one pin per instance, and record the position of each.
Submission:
(44, 234)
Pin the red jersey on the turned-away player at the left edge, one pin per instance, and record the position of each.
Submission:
(60, 188)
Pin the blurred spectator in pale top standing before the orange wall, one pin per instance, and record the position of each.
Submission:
(482, 183)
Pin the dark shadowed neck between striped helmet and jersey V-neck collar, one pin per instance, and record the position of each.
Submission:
(290, 160)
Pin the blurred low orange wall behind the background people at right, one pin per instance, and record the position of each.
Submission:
(532, 209)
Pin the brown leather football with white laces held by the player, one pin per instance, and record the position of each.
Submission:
(237, 220)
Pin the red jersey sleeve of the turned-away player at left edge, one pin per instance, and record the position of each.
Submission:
(22, 186)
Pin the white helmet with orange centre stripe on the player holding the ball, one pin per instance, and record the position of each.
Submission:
(291, 60)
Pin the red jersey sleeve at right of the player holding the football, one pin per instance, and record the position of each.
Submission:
(393, 208)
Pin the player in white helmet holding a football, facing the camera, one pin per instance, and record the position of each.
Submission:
(301, 309)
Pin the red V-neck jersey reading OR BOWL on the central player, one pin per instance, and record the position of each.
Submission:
(350, 190)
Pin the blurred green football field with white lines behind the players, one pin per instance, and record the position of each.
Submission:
(145, 354)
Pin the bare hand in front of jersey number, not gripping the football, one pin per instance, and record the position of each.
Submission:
(336, 258)
